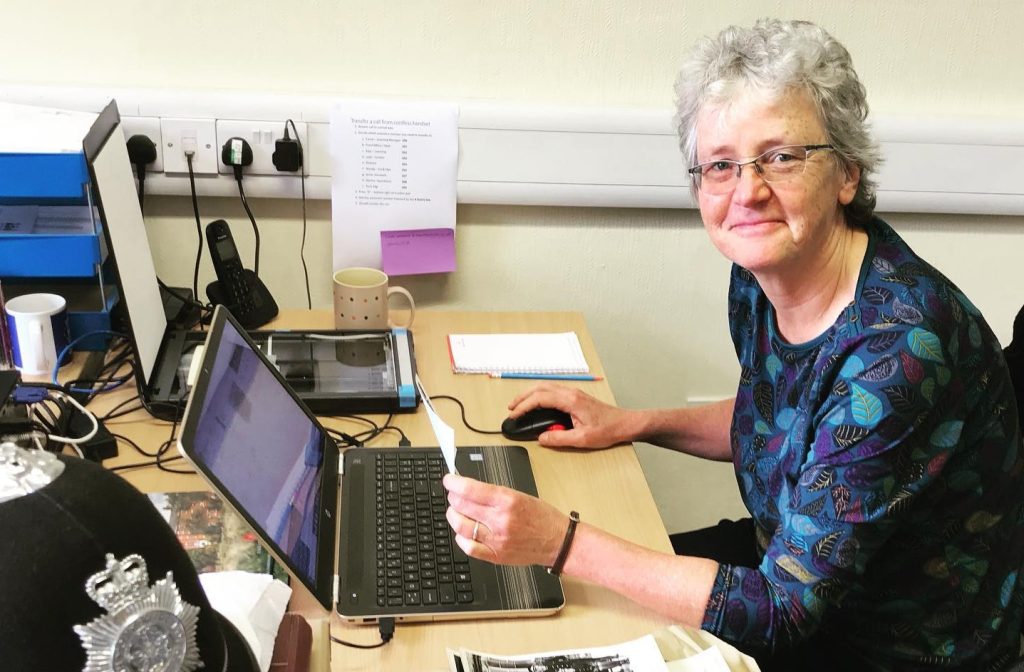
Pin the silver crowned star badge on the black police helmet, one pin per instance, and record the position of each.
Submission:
(147, 628)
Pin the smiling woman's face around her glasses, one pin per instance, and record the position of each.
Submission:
(781, 227)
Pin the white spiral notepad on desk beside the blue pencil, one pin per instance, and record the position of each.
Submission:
(518, 354)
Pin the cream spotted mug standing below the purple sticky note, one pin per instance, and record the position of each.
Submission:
(361, 300)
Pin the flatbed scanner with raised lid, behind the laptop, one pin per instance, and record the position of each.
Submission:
(373, 371)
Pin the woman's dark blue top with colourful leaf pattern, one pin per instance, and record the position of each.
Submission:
(881, 465)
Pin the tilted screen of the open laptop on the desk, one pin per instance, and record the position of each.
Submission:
(260, 447)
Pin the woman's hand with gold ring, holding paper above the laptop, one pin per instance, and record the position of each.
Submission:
(511, 528)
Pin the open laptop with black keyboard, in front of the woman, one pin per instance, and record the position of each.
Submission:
(262, 449)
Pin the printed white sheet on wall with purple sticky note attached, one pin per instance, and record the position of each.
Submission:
(394, 170)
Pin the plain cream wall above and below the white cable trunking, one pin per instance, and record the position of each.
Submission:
(652, 286)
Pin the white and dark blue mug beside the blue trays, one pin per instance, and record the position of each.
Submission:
(38, 326)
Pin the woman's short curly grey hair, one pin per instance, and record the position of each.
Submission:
(778, 57)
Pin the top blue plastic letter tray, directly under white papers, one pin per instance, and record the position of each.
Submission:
(44, 178)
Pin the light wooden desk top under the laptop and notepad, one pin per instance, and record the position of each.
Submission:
(607, 487)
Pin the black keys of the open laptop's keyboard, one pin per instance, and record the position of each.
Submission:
(418, 562)
